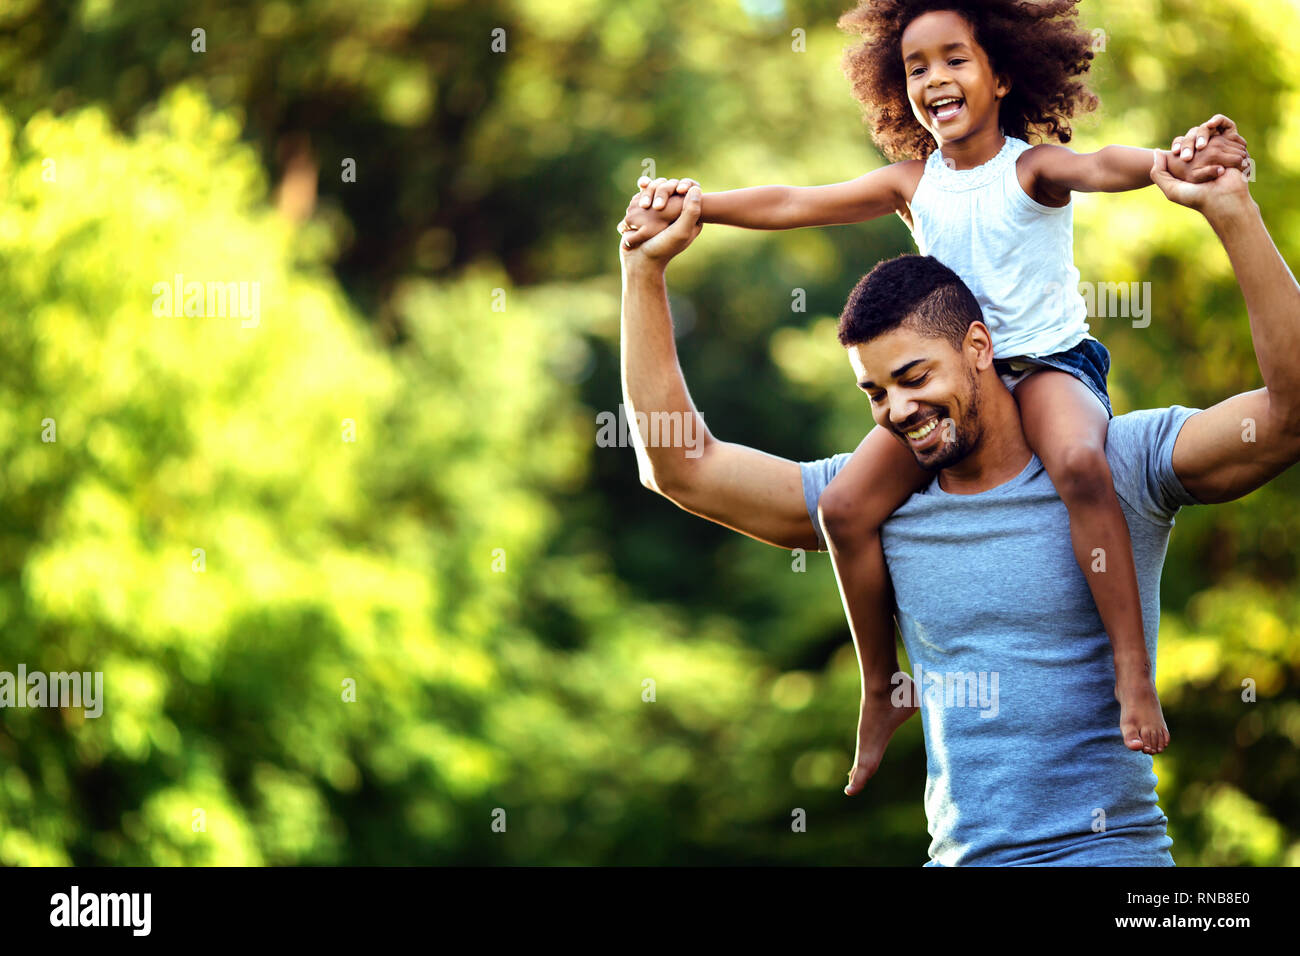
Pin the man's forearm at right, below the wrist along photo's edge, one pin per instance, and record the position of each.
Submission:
(1272, 301)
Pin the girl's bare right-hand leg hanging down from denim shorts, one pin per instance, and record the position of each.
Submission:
(1067, 427)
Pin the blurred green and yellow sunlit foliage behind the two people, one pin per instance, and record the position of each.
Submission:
(460, 304)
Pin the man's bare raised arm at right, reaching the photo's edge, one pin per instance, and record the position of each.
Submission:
(1245, 442)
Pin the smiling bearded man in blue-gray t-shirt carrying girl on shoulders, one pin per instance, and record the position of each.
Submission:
(1013, 671)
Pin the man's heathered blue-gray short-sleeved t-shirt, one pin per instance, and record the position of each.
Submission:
(1026, 763)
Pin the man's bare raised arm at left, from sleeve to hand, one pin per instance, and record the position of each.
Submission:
(748, 491)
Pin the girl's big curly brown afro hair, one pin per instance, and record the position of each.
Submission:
(1038, 44)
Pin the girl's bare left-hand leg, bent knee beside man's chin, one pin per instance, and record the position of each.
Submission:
(879, 478)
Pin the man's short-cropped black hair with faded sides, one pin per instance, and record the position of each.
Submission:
(917, 292)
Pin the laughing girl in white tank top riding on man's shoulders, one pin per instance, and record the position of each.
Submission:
(977, 80)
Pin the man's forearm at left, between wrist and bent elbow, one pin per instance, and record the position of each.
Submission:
(653, 383)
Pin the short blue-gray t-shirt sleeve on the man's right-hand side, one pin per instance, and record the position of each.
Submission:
(1141, 451)
